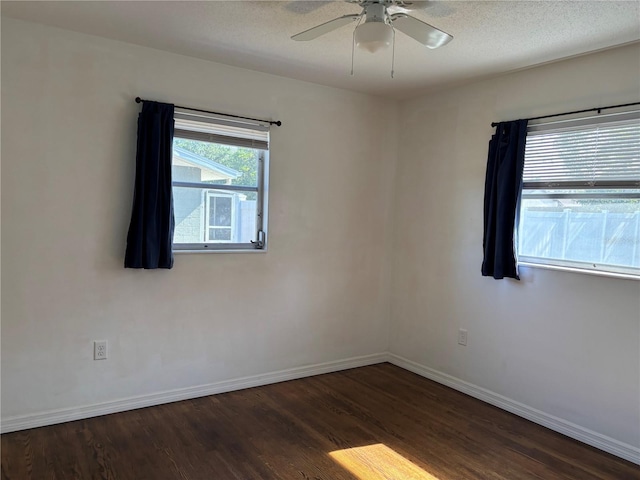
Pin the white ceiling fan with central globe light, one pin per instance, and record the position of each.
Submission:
(381, 19)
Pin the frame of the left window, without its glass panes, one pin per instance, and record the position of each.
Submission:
(232, 133)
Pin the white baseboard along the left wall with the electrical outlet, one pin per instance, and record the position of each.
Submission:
(23, 422)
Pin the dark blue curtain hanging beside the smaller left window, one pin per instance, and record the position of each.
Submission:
(151, 229)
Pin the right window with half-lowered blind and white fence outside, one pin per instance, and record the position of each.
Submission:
(580, 205)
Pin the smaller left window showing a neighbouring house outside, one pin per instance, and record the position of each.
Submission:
(219, 171)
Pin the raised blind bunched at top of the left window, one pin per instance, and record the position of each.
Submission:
(210, 128)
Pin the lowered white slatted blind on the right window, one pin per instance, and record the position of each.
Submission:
(598, 152)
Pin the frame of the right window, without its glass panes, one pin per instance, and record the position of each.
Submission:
(587, 189)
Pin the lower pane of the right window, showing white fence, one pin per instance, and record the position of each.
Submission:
(583, 228)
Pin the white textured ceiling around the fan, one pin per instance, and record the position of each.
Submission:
(489, 37)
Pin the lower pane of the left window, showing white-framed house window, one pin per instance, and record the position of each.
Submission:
(233, 213)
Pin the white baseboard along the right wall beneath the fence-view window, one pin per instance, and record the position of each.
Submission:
(597, 440)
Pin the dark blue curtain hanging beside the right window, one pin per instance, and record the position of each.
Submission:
(502, 188)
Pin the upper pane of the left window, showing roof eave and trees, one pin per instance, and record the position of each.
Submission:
(196, 161)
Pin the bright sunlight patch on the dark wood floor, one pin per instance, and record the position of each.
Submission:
(379, 462)
